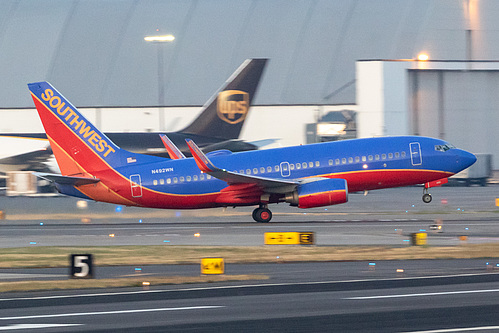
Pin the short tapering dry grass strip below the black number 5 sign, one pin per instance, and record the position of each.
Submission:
(121, 282)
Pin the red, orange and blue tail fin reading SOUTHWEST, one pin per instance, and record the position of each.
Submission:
(79, 147)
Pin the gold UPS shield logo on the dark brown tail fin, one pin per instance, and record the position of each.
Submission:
(232, 106)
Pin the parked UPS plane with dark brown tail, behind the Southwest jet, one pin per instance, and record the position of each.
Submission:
(217, 127)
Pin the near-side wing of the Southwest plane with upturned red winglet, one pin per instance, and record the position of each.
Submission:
(270, 185)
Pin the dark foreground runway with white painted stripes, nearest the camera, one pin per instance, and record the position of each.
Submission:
(370, 305)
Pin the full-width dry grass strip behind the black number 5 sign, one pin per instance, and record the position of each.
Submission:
(153, 255)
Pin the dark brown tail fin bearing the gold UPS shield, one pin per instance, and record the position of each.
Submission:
(223, 114)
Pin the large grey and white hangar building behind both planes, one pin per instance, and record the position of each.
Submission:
(332, 55)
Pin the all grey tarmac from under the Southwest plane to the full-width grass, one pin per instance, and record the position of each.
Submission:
(385, 217)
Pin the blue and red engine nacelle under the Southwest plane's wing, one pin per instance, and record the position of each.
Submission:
(319, 193)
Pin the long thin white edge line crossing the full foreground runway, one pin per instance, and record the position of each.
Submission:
(235, 287)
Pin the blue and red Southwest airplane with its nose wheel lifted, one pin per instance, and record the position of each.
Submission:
(306, 176)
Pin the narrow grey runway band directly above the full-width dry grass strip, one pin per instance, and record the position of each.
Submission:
(394, 233)
